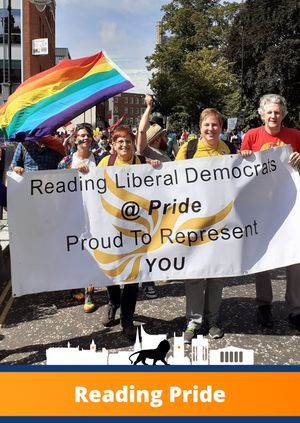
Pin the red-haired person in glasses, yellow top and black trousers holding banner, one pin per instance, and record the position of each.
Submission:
(123, 142)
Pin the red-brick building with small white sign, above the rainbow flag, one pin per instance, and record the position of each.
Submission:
(27, 24)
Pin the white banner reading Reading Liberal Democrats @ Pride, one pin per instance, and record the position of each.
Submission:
(207, 217)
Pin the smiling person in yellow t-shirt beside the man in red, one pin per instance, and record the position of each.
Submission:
(204, 296)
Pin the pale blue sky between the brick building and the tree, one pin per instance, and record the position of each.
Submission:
(125, 29)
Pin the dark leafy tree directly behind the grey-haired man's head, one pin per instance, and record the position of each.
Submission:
(264, 45)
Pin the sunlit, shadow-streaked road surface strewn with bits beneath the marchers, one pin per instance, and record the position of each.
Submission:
(34, 323)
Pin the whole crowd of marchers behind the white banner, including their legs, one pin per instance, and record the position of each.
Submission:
(154, 145)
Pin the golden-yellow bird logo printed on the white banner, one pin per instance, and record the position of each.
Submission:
(118, 263)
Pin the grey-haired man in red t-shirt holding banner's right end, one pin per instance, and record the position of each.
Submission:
(272, 110)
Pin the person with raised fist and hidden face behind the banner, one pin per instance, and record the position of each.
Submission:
(152, 142)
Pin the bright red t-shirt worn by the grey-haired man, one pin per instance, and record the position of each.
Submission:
(259, 139)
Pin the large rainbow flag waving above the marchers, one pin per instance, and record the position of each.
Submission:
(47, 100)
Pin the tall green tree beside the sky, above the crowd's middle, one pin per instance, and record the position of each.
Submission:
(189, 70)
